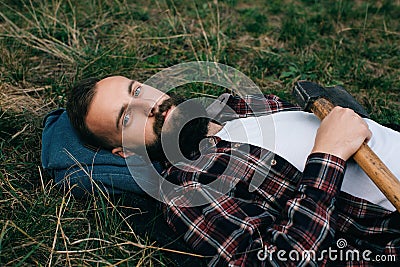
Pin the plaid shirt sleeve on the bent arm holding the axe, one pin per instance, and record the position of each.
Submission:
(233, 231)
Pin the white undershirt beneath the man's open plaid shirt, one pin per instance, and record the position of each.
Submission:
(291, 135)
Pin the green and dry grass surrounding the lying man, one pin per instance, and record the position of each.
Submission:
(45, 46)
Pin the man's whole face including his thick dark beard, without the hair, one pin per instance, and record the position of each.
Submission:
(142, 114)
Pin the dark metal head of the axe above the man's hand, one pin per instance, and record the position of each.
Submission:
(307, 92)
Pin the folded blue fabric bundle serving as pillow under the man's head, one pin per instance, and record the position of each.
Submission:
(76, 166)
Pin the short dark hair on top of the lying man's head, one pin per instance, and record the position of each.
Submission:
(79, 99)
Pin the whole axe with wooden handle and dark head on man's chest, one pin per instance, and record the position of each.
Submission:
(321, 101)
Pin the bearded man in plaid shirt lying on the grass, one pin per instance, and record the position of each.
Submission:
(305, 199)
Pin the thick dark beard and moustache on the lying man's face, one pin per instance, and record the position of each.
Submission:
(188, 122)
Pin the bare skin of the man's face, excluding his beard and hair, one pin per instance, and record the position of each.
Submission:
(123, 105)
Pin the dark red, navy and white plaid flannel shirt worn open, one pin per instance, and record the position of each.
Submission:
(287, 211)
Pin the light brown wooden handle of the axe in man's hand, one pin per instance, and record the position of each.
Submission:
(371, 164)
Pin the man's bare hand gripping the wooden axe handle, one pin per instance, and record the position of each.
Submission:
(341, 133)
